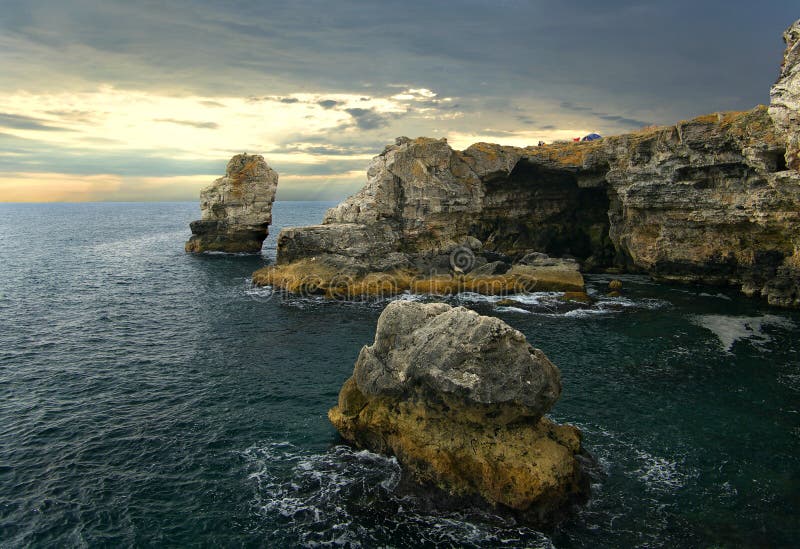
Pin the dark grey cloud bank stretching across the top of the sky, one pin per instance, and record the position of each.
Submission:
(713, 55)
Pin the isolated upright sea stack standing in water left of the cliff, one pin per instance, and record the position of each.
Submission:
(236, 209)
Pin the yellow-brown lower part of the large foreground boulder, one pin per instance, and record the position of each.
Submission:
(519, 466)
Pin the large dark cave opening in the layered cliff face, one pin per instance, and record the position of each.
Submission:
(546, 210)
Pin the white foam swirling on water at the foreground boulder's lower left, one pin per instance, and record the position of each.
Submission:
(345, 497)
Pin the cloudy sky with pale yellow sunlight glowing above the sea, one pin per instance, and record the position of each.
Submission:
(135, 100)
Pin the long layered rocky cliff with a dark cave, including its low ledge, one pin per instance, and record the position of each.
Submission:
(713, 200)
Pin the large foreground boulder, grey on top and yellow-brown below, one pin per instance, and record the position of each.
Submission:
(459, 398)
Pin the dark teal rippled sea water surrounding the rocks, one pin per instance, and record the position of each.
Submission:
(149, 397)
